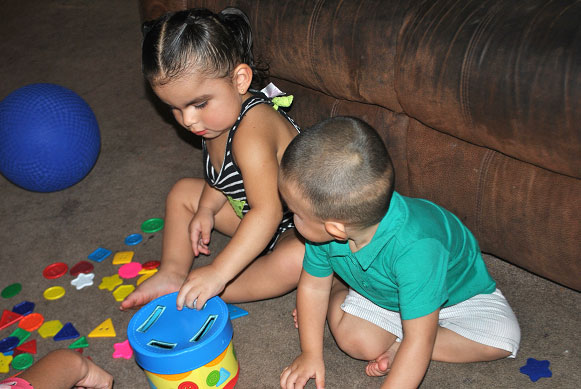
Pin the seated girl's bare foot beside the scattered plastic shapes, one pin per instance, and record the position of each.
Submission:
(158, 285)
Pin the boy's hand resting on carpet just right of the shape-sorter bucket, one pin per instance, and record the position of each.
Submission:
(303, 368)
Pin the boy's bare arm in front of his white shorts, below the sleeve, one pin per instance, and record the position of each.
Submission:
(414, 353)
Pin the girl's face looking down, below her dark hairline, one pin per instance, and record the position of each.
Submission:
(205, 106)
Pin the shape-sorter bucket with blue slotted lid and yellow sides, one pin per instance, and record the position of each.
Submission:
(187, 348)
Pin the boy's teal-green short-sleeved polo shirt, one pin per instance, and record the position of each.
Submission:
(421, 258)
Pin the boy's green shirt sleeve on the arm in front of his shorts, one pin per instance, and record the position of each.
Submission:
(420, 273)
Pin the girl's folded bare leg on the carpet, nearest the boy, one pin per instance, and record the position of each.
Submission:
(271, 275)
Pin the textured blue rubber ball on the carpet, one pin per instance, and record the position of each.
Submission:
(49, 138)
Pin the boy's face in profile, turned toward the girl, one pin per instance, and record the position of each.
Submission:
(308, 225)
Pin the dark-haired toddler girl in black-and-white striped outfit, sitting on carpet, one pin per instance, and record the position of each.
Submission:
(200, 64)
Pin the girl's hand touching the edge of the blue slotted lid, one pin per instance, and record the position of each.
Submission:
(202, 284)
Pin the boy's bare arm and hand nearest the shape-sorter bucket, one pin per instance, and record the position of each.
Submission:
(312, 303)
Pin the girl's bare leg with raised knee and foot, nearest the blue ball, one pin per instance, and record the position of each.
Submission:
(177, 254)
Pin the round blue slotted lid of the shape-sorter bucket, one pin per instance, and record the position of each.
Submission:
(168, 341)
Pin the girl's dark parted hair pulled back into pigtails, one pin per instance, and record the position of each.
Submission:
(201, 41)
